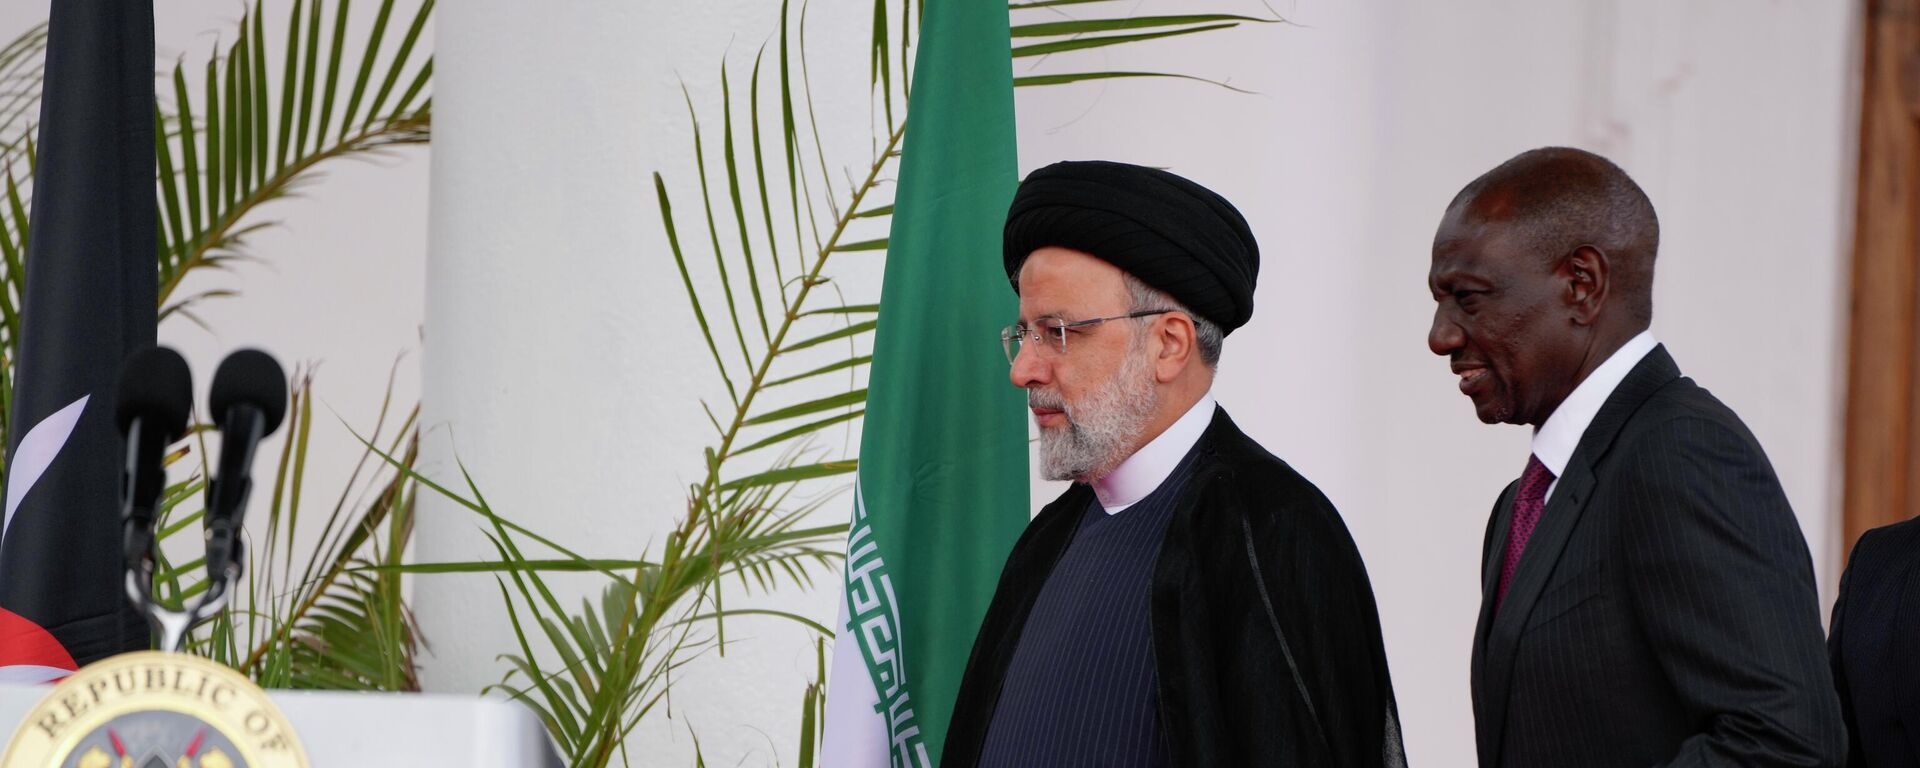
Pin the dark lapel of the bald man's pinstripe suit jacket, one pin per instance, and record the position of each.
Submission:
(1500, 633)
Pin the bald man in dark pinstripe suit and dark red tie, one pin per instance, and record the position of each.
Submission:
(1646, 592)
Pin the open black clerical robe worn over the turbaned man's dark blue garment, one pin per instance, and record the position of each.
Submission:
(1266, 644)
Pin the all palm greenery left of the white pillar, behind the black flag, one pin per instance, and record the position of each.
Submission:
(224, 151)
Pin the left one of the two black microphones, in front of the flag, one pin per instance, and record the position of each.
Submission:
(155, 396)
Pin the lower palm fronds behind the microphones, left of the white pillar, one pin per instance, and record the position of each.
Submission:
(331, 617)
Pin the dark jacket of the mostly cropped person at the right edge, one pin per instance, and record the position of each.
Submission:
(1877, 648)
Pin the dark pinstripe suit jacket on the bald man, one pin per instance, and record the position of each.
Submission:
(1664, 612)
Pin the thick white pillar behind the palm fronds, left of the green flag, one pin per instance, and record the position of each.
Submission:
(564, 366)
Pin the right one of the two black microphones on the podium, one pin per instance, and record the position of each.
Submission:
(249, 402)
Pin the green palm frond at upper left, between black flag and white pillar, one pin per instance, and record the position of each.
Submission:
(237, 145)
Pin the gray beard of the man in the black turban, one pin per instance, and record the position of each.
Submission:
(1103, 427)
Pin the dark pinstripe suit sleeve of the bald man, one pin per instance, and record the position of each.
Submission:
(1721, 581)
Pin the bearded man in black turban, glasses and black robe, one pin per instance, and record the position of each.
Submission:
(1189, 600)
